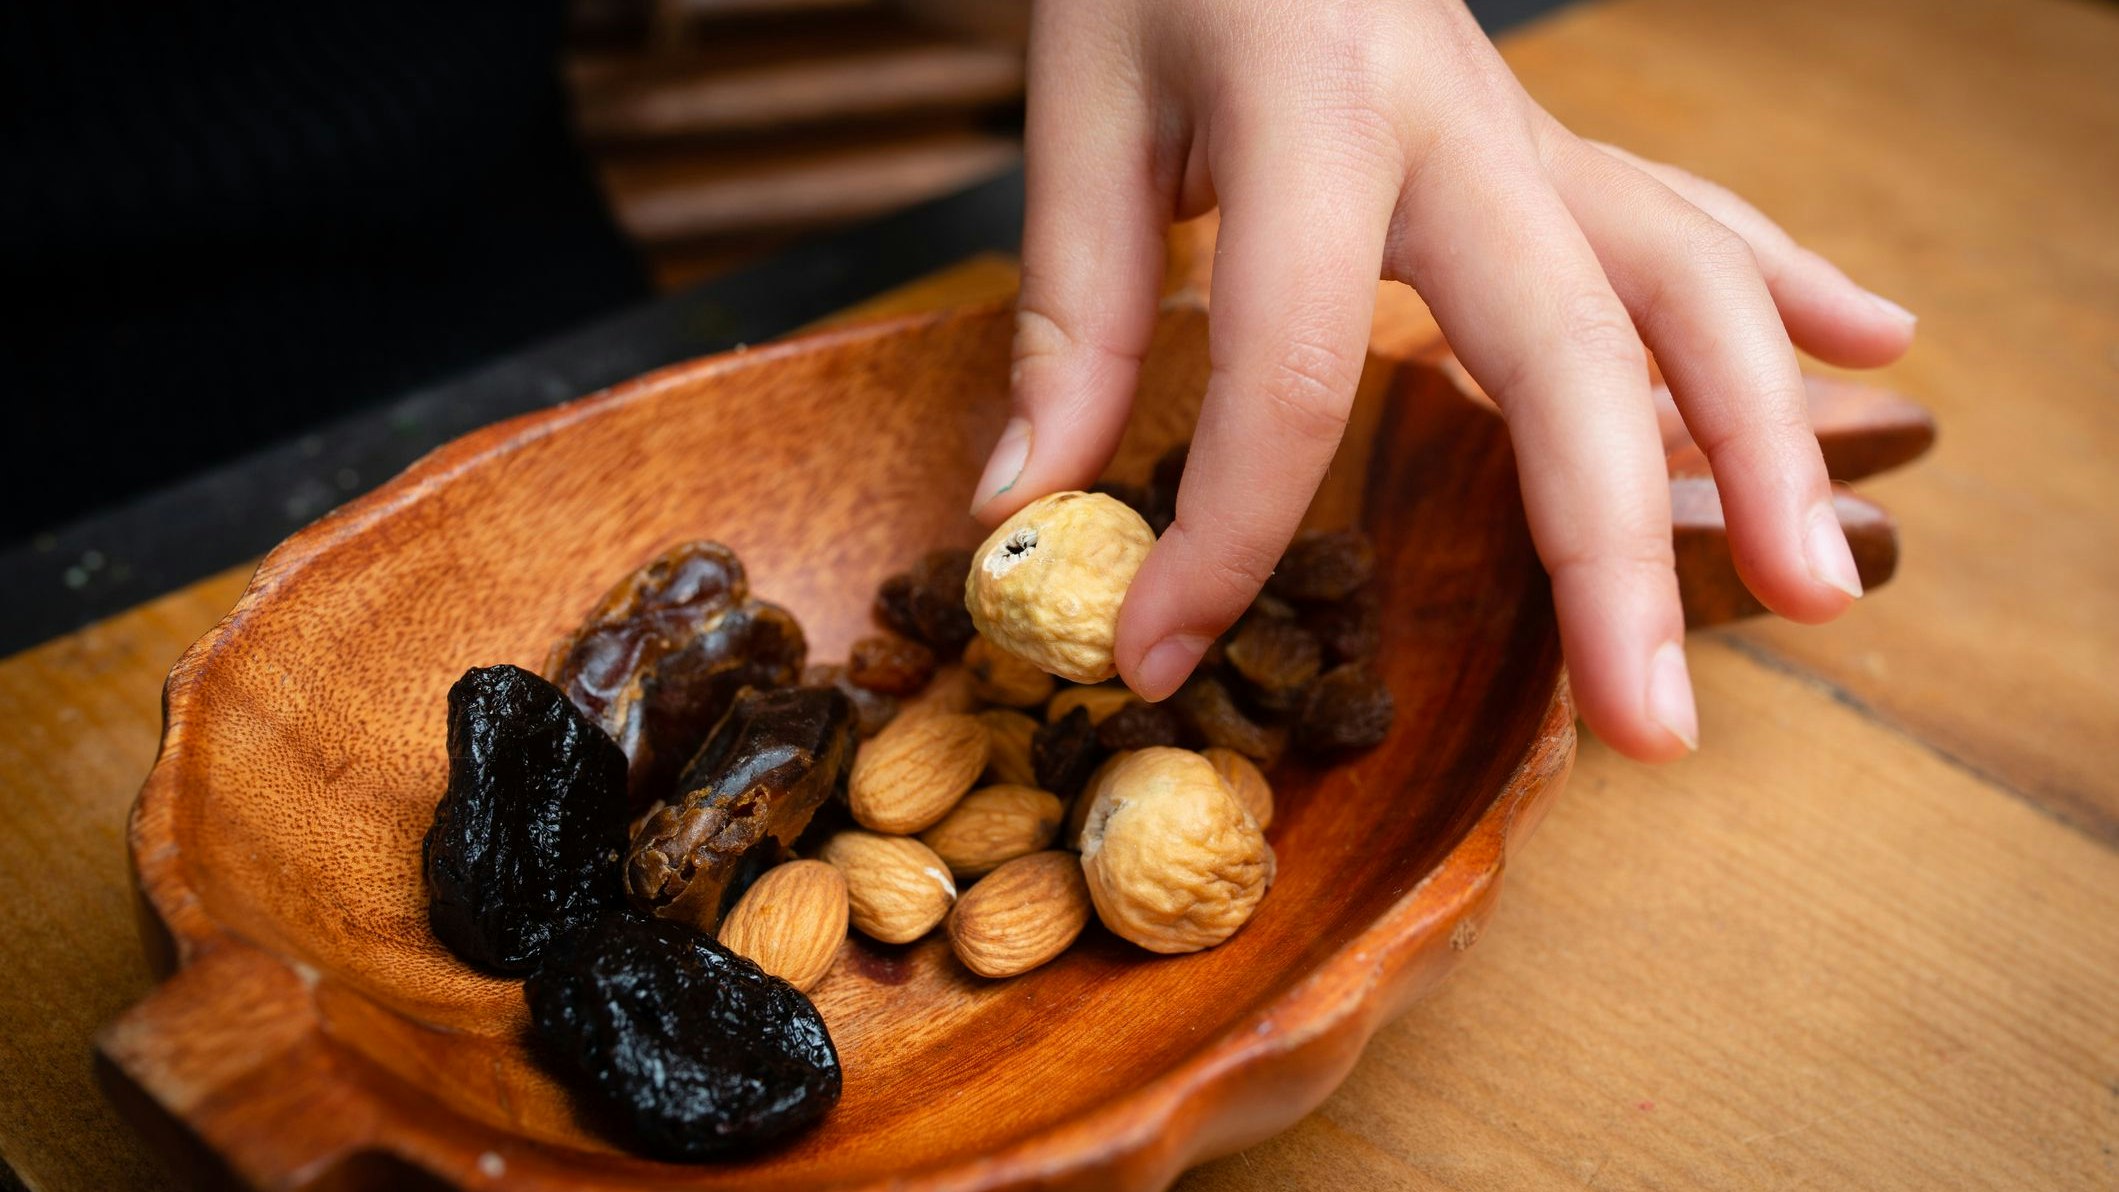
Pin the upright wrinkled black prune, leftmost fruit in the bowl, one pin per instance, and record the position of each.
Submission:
(527, 842)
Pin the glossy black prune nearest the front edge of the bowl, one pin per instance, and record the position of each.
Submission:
(679, 1045)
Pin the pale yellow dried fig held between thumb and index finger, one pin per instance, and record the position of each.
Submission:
(1050, 581)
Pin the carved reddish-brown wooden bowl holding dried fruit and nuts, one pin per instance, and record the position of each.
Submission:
(315, 1034)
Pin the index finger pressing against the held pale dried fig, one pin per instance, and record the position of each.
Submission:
(1302, 245)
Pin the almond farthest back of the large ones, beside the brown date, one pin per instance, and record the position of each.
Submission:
(914, 772)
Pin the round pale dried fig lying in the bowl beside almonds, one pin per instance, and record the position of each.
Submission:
(1175, 863)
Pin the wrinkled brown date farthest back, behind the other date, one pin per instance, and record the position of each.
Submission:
(664, 653)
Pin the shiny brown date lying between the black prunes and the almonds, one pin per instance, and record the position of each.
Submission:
(751, 791)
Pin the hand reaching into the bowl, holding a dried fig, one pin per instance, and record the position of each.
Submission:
(1387, 139)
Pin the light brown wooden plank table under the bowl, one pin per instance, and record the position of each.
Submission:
(1868, 939)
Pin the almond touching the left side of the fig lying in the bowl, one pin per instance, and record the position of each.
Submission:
(1020, 916)
